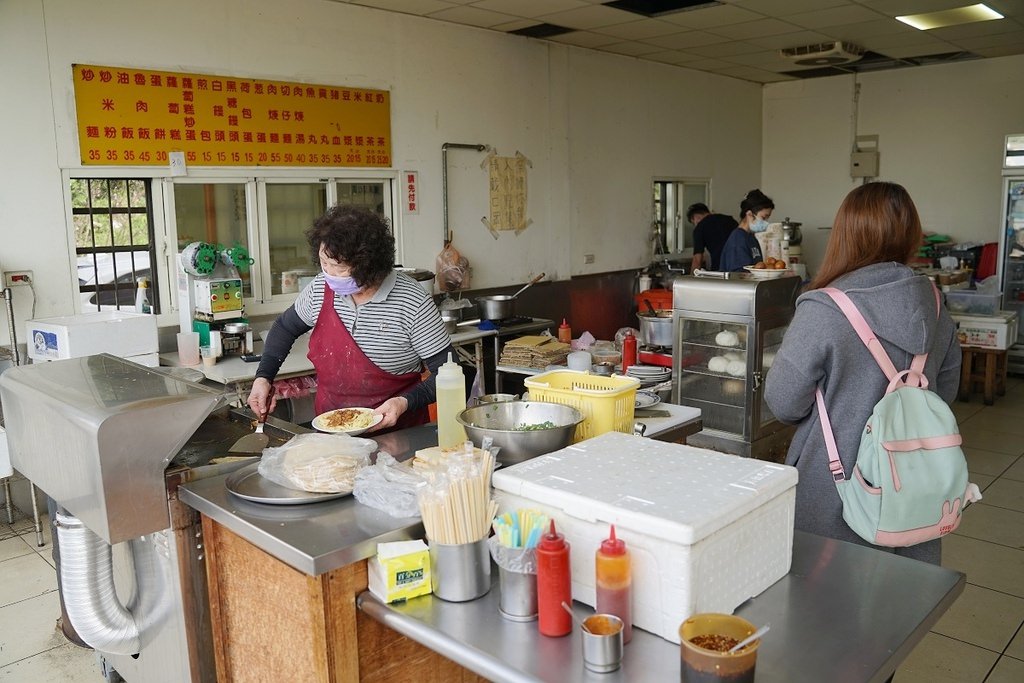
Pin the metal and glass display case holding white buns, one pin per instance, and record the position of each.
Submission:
(728, 333)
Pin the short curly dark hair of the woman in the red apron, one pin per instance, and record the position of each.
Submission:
(359, 238)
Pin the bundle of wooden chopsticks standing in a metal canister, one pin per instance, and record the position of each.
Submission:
(456, 504)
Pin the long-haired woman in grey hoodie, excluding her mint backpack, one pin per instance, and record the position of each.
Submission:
(876, 234)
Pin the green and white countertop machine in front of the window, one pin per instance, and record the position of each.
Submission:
(210, 293)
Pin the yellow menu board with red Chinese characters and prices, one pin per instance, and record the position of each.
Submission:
(137, 117)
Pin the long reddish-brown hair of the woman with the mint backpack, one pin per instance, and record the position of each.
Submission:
(877, 223)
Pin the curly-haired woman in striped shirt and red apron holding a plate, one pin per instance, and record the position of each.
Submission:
(373, 329)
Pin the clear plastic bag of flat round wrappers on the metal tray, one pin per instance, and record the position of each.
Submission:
(318, 463)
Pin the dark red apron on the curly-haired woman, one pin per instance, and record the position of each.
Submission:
(346, 377)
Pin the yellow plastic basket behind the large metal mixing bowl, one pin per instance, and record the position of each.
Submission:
(607, 403)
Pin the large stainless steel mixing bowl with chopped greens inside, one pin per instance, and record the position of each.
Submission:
(504, 423)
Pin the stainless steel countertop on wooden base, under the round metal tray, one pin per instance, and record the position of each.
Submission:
(320, 537)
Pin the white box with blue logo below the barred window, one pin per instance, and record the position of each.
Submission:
(114, 332)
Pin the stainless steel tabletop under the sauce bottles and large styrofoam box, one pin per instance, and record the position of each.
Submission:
(844, 613)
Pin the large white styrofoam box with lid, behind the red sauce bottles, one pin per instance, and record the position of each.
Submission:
(706, 531)
